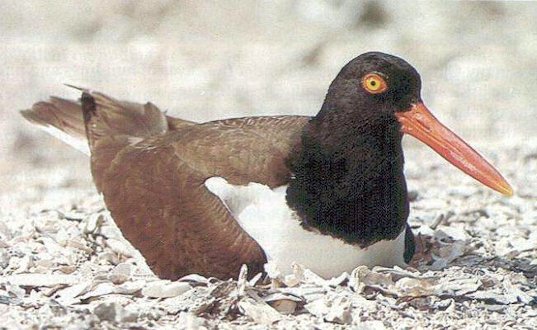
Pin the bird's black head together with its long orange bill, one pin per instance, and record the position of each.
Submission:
(375, 86)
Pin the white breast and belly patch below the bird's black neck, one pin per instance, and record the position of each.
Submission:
(263, 213)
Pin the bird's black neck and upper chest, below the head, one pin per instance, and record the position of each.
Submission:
(348, 178)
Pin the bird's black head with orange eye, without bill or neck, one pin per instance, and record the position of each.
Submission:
(374, 82)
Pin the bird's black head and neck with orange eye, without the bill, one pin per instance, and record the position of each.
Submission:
(348, 175)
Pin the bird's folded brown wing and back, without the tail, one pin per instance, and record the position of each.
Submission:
(155, 192)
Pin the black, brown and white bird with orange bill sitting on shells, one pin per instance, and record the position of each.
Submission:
(326, 191)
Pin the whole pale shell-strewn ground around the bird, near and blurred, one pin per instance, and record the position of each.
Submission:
(64, 264)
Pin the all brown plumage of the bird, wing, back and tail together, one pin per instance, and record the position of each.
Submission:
(151, 170)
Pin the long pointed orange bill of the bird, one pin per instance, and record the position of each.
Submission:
(419, 122)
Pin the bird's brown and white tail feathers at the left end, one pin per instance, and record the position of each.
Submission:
(102, 123)
